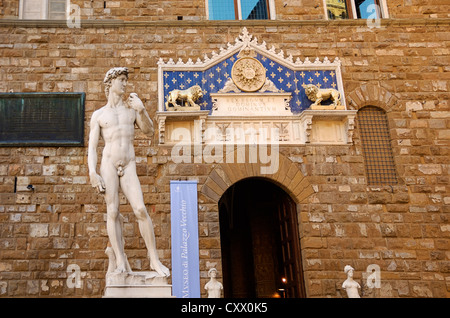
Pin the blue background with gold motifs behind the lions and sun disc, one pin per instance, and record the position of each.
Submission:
(285, 79)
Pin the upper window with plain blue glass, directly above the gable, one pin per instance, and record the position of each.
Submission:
(239, 9)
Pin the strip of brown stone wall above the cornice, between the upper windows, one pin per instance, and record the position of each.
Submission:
(140, 10)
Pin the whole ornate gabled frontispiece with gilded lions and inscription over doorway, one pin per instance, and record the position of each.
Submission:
(245, 87)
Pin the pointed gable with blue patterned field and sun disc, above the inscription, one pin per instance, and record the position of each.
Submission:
(249, 67)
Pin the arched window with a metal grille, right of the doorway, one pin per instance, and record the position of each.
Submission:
(376, 144)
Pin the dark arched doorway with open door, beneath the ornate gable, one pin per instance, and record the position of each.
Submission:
(259, 241)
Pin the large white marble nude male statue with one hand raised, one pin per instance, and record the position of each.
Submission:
(115, 123)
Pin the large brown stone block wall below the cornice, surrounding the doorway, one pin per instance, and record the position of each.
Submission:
(401, 67)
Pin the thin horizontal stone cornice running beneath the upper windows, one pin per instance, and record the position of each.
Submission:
(108, 23)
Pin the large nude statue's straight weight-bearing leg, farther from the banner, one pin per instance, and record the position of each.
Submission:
(113, 226)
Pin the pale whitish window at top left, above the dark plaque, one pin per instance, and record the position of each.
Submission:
(43, 9)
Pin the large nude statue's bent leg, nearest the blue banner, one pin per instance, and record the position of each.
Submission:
(131, 187)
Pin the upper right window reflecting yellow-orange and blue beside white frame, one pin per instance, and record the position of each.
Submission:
(356, 9)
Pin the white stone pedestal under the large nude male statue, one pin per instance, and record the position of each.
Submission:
(137, 285)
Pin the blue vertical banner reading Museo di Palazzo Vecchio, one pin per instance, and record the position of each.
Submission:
(184, 227)
